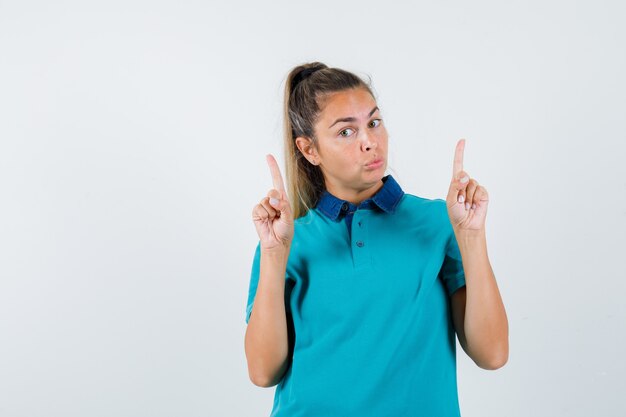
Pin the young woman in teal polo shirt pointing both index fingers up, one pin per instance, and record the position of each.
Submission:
(358, 289)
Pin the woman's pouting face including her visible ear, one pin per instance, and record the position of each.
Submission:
(351, 147)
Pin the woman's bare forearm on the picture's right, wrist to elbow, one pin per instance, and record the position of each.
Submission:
(485, 325)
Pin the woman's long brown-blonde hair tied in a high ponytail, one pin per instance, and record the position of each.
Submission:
(305, 89)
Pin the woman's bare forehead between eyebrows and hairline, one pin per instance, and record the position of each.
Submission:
(356, 102)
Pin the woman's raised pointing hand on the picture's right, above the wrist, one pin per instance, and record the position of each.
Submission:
(467, 200)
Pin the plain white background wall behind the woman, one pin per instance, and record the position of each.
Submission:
(133, 137)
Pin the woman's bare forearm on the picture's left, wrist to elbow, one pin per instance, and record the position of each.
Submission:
(266, 339)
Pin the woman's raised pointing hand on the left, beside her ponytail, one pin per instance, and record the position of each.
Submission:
(272, 217)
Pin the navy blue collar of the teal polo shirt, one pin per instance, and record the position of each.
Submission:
(387, 199)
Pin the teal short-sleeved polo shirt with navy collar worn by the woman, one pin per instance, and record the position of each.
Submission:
(367, 295)
